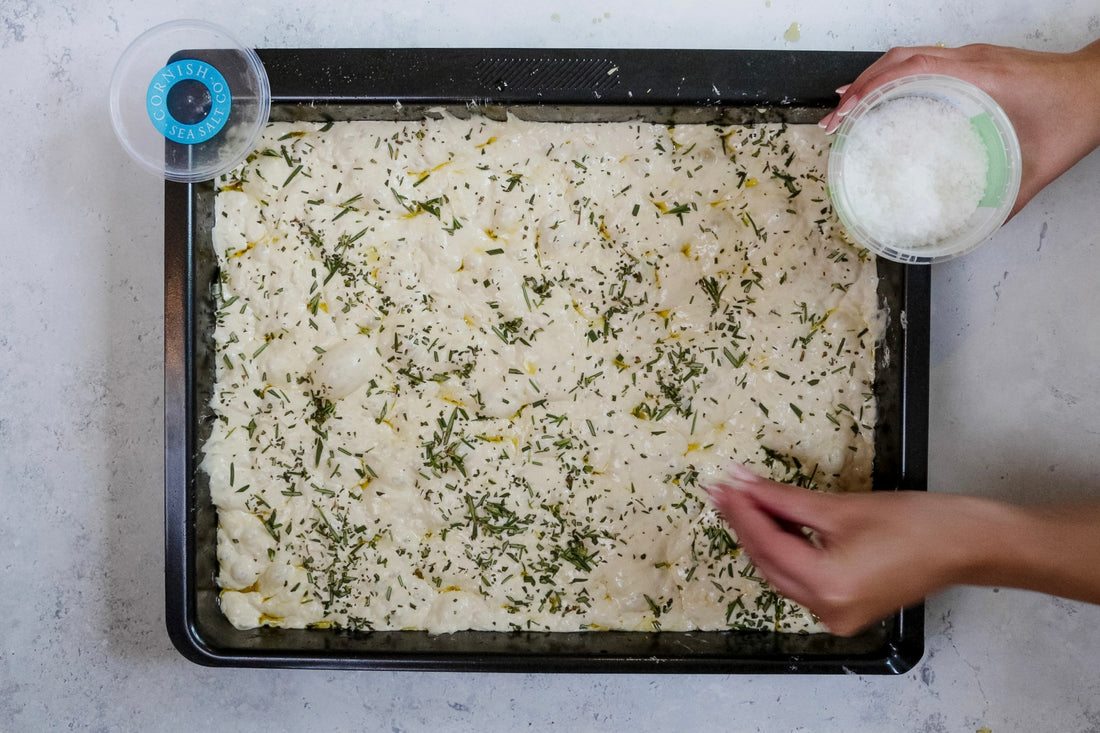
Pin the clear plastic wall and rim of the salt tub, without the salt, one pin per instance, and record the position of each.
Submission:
(1003, 179)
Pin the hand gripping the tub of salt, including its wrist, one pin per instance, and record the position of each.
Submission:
(1052, 100)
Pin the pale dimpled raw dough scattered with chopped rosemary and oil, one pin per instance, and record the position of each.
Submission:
(472, 375)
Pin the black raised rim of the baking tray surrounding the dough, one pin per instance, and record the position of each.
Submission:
(899, 644)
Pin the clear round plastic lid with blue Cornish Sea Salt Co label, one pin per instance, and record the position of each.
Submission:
(189, 101)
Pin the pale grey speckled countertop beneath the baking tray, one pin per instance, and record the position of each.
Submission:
(1015, 409)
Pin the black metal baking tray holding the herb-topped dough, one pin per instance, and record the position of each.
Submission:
(563, 85)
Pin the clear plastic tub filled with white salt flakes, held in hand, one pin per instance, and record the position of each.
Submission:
(925, 169)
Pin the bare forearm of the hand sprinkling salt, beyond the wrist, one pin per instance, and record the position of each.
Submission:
(1052, 549)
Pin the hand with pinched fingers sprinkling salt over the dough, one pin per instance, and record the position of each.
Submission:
(870, 554)
